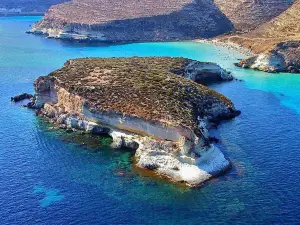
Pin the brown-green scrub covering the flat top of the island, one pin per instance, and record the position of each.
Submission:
(148, 88)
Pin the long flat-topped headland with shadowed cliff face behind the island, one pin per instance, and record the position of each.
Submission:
(133, 20)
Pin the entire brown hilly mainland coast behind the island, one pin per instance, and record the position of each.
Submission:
(259, 30)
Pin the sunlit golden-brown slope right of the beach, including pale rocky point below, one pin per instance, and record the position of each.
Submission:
(276, 43)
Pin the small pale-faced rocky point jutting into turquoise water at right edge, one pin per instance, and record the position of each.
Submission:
(283, 58)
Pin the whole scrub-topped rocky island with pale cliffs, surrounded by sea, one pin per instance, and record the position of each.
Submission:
(150, 105)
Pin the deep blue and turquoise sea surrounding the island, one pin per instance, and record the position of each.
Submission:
(45, 180)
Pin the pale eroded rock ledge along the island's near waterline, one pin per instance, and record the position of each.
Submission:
(165, 158)
